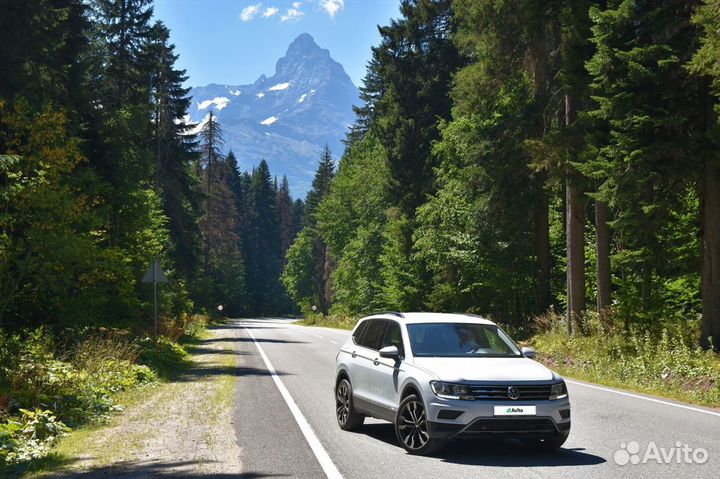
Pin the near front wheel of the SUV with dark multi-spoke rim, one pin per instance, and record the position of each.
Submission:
(411, 428)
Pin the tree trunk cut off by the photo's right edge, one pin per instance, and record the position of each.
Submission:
(711, 255)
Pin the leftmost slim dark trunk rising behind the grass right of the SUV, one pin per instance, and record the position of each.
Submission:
(542, 249)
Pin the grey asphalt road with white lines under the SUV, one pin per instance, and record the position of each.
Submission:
(275, 442)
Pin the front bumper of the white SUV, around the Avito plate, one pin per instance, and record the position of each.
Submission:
(477, 419)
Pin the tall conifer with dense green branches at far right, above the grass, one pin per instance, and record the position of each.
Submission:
(649, 105)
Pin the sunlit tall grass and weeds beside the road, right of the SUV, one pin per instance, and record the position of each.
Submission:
(663, 360)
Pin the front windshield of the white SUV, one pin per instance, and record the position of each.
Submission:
(460, 340)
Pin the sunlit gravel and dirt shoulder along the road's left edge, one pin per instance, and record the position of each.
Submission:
(183, 428)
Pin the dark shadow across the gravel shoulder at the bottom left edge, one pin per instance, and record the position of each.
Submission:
(145, 469)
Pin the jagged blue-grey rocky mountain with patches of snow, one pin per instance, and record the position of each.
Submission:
(287, 117)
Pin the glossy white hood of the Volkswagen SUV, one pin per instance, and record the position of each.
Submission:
(484, 369)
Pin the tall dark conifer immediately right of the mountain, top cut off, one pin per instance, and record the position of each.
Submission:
(407, 90)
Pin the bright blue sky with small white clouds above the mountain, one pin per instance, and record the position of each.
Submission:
(234, 41)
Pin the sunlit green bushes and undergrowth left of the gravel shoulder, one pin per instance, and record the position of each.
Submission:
(46, 385)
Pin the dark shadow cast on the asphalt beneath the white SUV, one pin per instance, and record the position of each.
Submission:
(489, 452)
